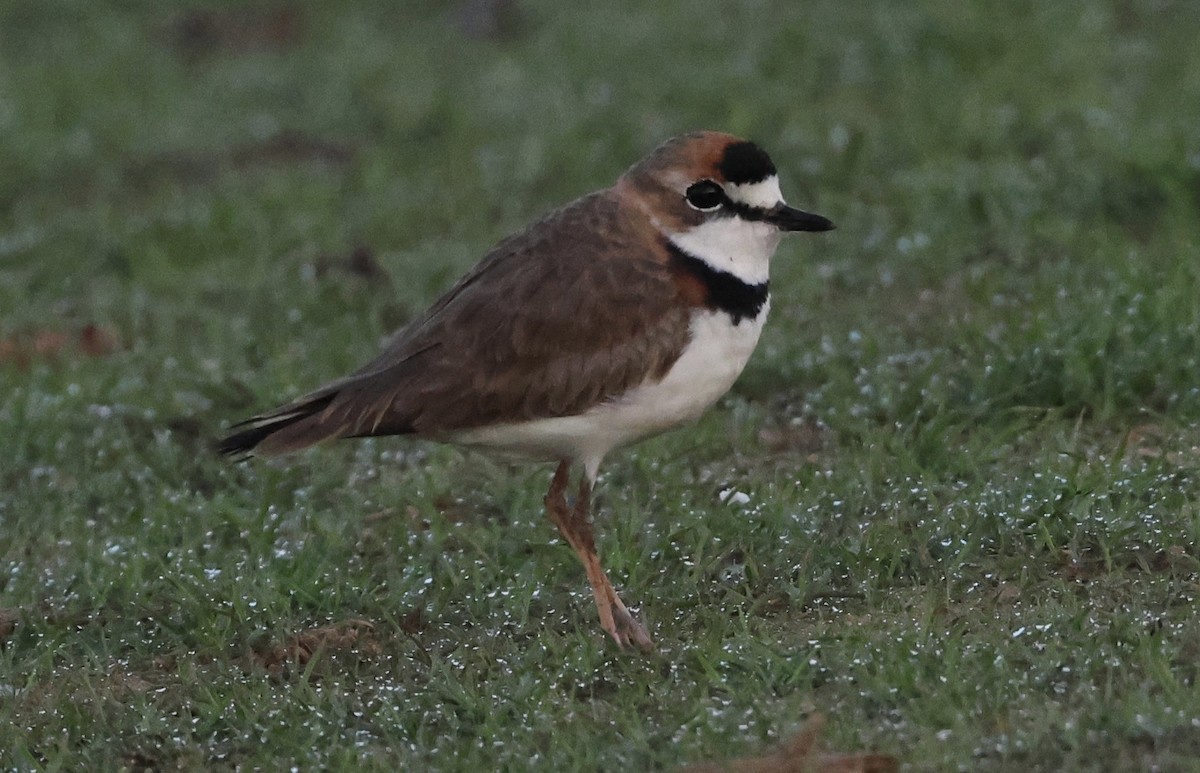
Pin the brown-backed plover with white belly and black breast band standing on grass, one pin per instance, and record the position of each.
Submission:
(616, 317)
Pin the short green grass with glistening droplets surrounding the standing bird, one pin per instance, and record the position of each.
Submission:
(968, 444)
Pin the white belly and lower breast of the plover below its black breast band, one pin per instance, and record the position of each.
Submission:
(706, 370)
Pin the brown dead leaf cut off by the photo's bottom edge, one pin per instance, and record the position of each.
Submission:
(801, 754)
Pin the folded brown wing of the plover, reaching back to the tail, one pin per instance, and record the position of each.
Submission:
(572, 313)
